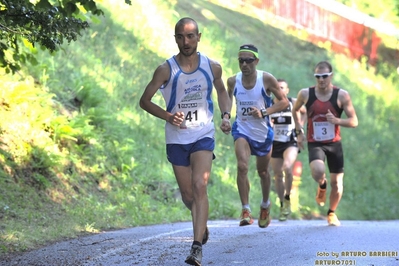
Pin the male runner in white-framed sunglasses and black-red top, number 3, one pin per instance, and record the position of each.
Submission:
(324, 104)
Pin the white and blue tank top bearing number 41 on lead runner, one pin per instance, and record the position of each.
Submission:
(190, 93)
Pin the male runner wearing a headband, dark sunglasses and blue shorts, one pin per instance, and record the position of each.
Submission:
(252, 131)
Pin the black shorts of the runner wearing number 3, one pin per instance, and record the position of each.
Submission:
(333, 151)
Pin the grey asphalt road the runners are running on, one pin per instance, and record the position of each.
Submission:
(282, 243)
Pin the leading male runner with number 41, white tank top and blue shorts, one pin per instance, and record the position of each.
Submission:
(186, 82)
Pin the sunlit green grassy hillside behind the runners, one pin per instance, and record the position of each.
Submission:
(79, 156)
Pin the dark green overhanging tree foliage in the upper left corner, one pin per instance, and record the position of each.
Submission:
(43, 23)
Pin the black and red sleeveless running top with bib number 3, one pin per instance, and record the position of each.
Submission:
(318, 128)
